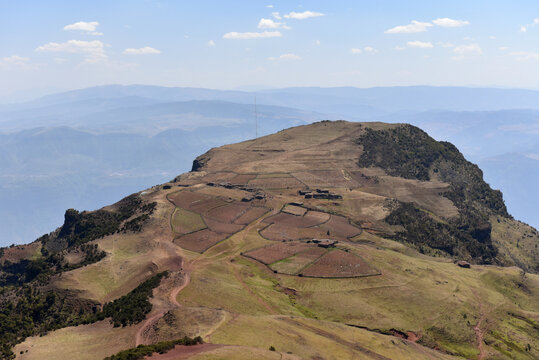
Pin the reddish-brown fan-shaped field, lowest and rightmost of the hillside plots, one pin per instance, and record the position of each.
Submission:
(338, 263)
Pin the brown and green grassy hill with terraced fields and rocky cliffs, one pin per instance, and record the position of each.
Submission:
(332, 240)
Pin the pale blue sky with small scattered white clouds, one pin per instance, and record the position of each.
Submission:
(261, 44)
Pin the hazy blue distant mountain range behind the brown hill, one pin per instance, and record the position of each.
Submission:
(89, 147)
